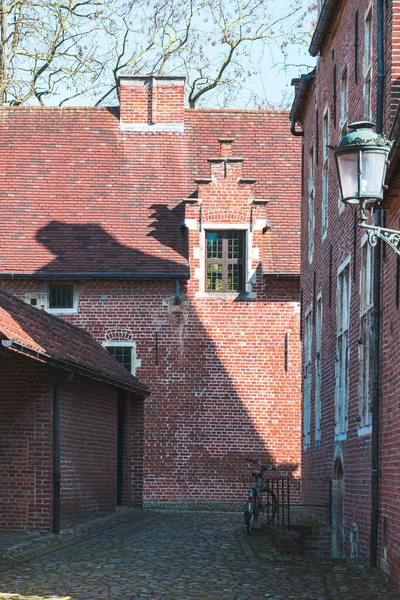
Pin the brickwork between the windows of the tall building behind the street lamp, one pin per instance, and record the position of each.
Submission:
(318, 461)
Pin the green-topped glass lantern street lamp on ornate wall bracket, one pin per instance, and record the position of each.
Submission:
(361, 160)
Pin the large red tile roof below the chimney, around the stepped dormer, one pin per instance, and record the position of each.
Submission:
(80, 196)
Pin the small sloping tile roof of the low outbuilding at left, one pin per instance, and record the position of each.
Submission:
(47, 338)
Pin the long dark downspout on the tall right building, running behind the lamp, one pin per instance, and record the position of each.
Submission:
(377, 313)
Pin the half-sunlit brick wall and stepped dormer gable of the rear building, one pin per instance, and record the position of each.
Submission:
(215, 365)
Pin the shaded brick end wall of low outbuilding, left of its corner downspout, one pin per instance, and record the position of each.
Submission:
(25, 444)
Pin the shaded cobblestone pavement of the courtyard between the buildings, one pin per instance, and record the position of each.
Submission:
(187, 556)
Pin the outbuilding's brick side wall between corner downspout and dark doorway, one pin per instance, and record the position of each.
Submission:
(88, 448)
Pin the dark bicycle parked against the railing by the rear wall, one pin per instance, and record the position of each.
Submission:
(261, 500)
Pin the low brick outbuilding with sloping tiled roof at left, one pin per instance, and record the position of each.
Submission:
(60, 400)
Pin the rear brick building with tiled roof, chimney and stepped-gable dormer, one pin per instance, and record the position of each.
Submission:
(172, 236)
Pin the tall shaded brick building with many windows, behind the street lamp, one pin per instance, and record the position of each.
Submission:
(337, 282)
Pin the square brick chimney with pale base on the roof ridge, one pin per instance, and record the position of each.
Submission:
(152, 103)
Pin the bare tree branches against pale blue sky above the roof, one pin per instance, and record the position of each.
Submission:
(64, 49)
